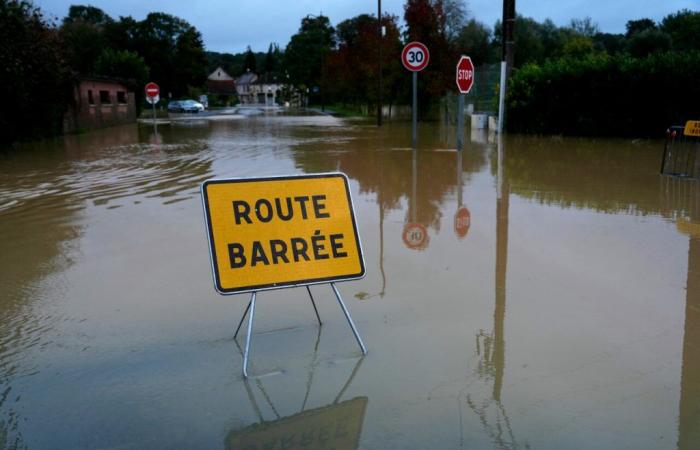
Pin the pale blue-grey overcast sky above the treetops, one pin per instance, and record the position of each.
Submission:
(231, 25)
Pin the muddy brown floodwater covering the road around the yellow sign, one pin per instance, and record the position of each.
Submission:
(564, 313)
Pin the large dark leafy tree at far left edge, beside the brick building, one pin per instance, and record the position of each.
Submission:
(36, 87)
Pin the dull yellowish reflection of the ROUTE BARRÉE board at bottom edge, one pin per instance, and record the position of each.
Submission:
(336, 426)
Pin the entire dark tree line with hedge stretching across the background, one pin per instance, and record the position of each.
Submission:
(571, 79)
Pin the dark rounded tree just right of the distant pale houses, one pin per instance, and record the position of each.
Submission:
(307, 50)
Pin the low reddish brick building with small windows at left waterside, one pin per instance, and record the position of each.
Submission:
(98, 103)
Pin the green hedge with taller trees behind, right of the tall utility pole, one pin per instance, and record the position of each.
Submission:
(633, 84)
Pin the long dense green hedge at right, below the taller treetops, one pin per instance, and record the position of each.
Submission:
(604, 95)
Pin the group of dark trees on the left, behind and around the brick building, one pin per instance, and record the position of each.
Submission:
(43, 60)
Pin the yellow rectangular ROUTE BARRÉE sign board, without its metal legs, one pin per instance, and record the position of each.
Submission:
(266, 233)
